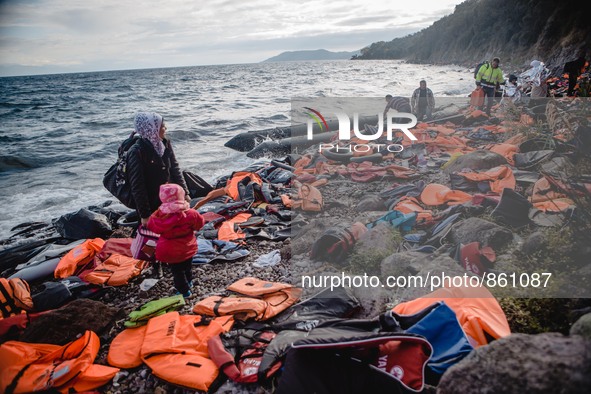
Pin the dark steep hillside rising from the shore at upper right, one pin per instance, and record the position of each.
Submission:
(517, 31)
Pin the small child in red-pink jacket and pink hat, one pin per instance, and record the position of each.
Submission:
(176, 223)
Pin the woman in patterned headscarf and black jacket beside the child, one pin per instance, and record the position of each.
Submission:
(151, 163)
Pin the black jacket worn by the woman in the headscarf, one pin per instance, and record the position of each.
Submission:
(147, 171)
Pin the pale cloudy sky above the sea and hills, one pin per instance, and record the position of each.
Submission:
(55, 36)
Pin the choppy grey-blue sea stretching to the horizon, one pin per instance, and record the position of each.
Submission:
(59, 133)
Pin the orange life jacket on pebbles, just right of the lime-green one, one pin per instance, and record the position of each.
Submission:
(259, 300)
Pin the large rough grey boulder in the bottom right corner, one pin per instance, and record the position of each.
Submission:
(521, 363)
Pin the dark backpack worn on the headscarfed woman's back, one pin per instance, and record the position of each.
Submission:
(115, 179)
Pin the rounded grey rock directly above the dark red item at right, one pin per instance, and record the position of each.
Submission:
(480, 230)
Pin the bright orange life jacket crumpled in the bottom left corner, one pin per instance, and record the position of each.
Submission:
(29, 367)
